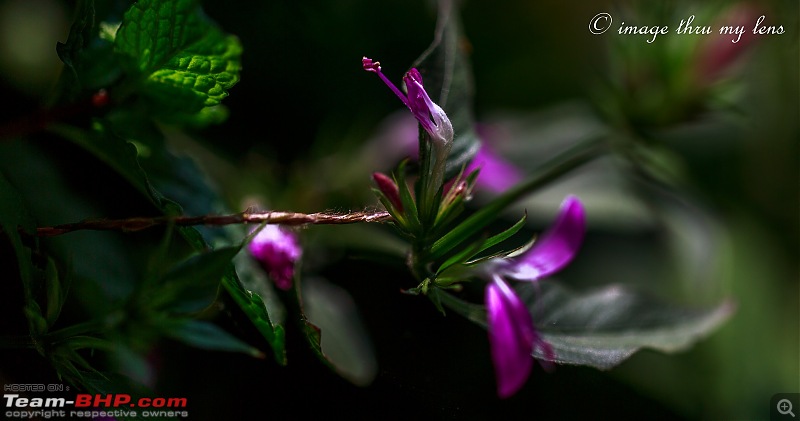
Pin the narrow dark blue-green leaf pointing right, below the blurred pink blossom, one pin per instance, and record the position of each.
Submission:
(208, 336)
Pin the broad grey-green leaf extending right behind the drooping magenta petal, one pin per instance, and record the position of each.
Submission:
(603, 327)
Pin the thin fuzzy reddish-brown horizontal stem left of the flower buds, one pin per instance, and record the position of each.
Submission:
(281, 218)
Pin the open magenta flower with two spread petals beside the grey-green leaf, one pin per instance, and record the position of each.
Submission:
(512, 336)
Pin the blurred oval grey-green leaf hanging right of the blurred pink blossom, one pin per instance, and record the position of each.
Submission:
(335, 331)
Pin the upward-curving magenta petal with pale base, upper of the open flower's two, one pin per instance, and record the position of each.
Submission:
(556, 248)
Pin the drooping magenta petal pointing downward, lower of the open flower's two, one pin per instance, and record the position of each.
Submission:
(511, 337)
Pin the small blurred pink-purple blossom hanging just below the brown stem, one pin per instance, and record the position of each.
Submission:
(277, 250)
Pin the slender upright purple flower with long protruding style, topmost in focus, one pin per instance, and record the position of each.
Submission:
(431, 116)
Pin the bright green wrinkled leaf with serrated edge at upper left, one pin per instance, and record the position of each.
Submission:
(183, 61)
